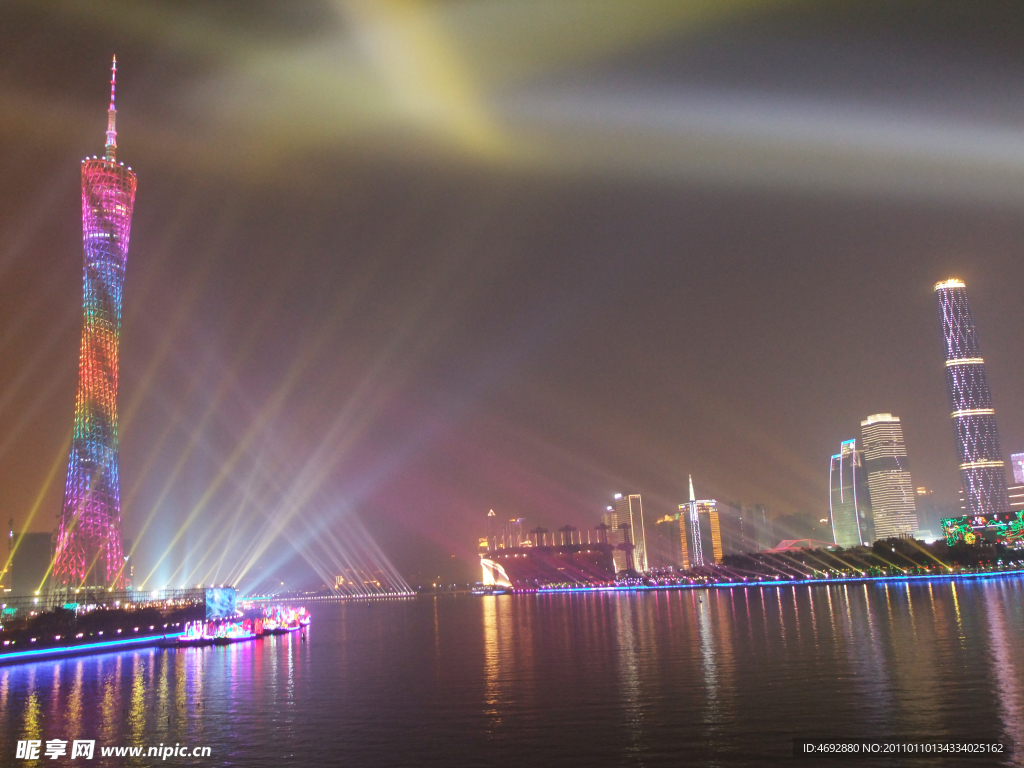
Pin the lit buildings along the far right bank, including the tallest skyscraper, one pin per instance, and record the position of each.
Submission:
(871, 492)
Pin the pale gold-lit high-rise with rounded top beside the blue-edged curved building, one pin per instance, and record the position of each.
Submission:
(888, 477)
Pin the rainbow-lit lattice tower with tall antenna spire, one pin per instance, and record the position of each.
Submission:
(89, 551)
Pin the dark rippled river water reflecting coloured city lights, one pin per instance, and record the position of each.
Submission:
(645, 679)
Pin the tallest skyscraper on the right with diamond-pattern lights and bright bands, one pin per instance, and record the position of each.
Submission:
(971, 403)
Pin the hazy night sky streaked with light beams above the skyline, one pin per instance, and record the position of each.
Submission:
(402, 263)
